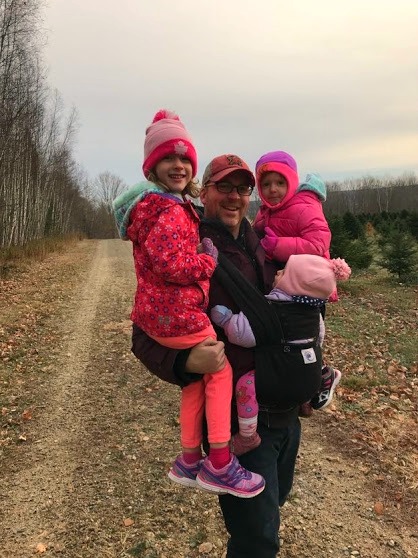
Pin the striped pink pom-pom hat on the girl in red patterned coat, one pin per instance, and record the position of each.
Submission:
(166, 135)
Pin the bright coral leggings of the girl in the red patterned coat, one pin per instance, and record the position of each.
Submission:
(211, 395)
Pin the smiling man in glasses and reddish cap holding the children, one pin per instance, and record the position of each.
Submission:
(251, 523)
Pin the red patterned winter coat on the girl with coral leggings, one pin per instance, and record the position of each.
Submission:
(172, 278)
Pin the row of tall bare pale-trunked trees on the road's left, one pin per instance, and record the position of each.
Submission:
(39, 183)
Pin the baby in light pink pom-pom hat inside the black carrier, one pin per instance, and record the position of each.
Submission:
(306, 279)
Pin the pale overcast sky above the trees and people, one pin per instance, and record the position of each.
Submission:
(335, 83)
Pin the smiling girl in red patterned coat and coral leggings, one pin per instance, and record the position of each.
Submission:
(173, 271)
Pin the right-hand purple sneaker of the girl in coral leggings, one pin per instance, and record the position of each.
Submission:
(231, 479)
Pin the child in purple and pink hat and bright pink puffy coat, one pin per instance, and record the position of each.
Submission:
(291, 221)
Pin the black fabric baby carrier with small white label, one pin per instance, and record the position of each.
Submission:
(287, 374)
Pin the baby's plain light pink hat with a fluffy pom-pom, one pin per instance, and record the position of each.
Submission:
(310, 275)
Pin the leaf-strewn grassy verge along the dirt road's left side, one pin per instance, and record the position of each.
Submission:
(34, 296)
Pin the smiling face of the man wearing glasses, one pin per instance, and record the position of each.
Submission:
(229, 208)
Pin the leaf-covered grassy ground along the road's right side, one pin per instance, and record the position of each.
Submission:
(372, 337)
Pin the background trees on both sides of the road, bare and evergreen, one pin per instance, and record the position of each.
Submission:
(45, 194)
